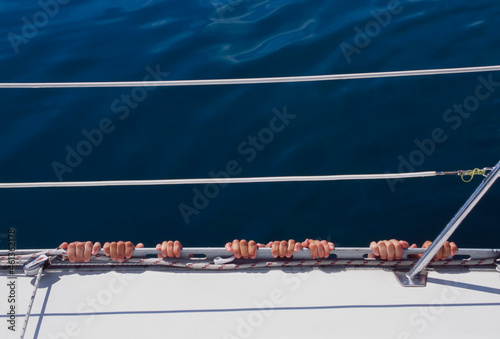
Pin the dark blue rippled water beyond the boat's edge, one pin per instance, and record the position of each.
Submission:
(339, 127)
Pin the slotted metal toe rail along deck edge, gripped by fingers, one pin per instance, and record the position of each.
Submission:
(206, 258)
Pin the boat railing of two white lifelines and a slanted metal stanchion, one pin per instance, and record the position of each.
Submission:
(414, 277)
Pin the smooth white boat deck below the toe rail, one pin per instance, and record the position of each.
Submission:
(291, 303)
